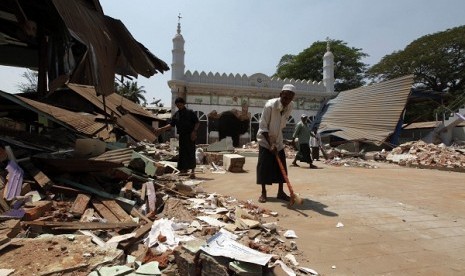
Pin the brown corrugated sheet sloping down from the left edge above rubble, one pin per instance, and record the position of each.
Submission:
(81, 123)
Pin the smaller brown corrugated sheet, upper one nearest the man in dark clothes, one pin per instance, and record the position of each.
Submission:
(112, 101)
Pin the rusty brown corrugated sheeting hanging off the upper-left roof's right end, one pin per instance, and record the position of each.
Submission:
(110, 47)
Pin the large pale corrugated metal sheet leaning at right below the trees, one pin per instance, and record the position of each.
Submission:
(368, 113)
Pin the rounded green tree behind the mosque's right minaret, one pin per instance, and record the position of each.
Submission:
(348, 71)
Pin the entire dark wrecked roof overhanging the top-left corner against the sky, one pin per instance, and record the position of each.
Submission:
(73, 41)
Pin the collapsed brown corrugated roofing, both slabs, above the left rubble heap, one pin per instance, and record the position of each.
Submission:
(121, 112)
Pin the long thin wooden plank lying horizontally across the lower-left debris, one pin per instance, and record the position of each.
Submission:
(76, 225)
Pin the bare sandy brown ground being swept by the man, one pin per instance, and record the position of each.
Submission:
(392, 220)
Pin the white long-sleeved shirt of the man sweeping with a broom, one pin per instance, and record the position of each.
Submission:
(273, 120)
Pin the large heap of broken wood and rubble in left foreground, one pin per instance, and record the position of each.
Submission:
(126, 209)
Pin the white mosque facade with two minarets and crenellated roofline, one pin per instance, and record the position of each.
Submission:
(212, 94)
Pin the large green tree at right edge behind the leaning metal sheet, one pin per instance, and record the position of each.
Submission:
(437, 62)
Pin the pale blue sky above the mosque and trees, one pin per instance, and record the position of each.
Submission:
(251, 36)
